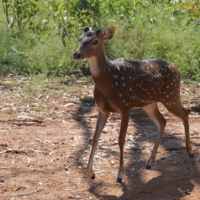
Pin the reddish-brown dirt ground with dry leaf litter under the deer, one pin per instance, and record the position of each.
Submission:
(45, 143)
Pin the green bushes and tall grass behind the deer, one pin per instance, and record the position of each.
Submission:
(40, 36)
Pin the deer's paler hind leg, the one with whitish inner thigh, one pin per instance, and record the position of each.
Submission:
(155, 115)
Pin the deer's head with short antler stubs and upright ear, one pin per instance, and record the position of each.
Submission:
(90, 42)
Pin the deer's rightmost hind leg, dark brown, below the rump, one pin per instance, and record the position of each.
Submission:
(182, 113)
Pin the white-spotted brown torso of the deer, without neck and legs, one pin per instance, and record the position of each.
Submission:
(139, 83)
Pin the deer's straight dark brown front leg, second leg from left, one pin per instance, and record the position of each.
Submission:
(122, 135)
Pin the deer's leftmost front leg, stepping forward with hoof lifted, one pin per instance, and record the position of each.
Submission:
(101, 121)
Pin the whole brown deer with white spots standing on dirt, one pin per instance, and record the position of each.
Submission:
(121, 85)
